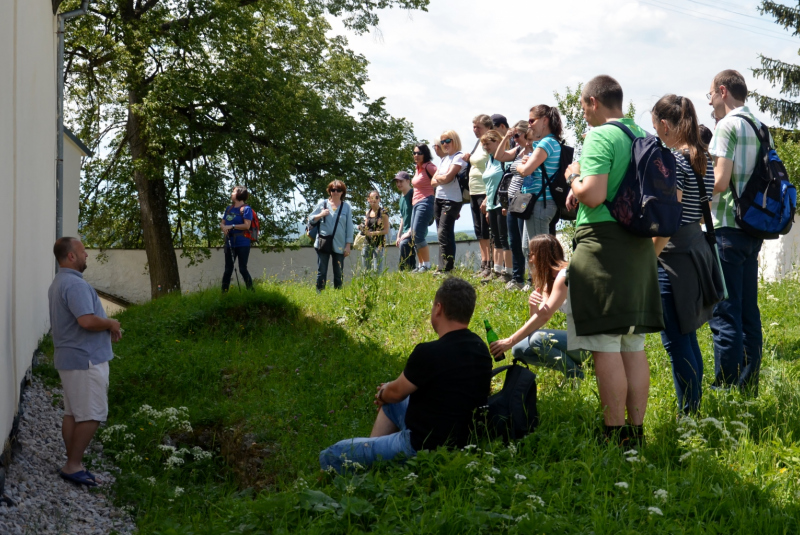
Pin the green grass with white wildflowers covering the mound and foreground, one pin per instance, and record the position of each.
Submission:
(270, 378)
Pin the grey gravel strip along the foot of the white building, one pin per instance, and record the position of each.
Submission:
(46, 504)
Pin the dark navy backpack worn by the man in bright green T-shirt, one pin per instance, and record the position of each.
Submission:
(646, 202)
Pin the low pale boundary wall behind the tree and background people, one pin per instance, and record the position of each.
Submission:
(123, 272)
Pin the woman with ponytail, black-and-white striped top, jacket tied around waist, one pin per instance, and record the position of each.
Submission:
(686, 262)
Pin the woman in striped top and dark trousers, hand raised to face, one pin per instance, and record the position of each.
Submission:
(513, 275)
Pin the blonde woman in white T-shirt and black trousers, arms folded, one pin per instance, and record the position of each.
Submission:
(447, 206)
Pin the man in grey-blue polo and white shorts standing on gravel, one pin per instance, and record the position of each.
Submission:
(82, 336)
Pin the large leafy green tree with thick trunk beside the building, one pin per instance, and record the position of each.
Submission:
(184, 98)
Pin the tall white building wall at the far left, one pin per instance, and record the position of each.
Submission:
(27, 183)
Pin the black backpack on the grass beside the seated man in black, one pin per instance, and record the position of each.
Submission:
(511, 413)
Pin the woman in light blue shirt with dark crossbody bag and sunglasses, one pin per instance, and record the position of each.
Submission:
(335, 237)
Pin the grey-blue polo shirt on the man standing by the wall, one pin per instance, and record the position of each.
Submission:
(70, 298)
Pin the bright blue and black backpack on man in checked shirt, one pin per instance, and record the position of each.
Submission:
(766, 207)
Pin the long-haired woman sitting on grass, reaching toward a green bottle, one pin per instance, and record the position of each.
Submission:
(531, 343)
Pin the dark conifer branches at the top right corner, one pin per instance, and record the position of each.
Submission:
(777, 72)
